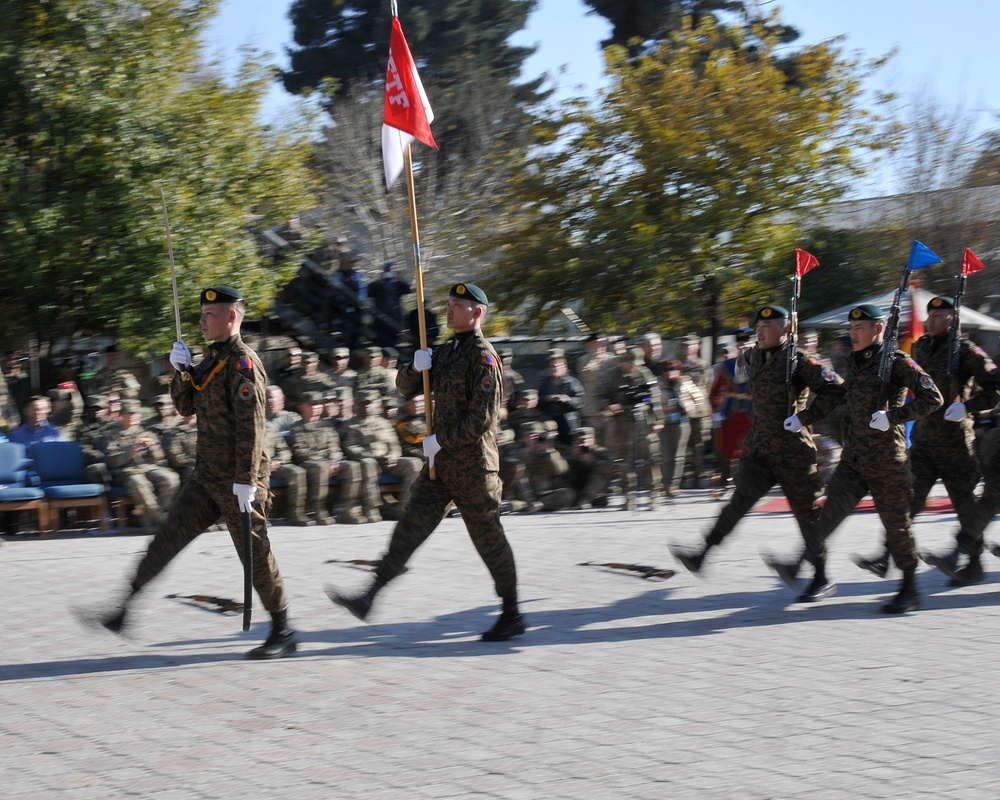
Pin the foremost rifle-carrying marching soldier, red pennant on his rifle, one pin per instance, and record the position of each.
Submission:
(778, 448)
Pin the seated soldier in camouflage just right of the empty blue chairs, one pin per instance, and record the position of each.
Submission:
(133, 455)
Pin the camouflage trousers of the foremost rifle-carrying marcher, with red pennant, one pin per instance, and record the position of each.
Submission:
(795, 472)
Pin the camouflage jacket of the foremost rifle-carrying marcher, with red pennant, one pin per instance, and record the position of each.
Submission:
(767, 371)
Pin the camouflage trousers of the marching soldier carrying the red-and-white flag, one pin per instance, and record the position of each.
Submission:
(477, 496)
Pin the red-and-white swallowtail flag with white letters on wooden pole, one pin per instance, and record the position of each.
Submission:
(407, 113)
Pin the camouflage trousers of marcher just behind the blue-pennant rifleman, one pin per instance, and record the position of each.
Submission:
(957, 467)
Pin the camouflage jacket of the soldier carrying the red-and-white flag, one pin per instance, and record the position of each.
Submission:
(466, 384)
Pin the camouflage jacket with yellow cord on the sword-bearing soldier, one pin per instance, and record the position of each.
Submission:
(226, 391)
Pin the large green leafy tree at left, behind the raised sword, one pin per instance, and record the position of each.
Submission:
(103, 103)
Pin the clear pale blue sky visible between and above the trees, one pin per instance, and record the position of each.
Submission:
(948, 51)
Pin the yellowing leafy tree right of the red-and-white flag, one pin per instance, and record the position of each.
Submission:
(693, 166)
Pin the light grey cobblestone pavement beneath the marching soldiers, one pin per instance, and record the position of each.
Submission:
(623, 687)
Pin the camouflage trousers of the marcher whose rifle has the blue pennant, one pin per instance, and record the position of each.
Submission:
(891, 486)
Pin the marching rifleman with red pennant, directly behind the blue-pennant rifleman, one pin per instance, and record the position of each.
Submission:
(942, 444)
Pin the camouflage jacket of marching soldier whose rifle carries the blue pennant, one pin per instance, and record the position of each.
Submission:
(863, 393)
